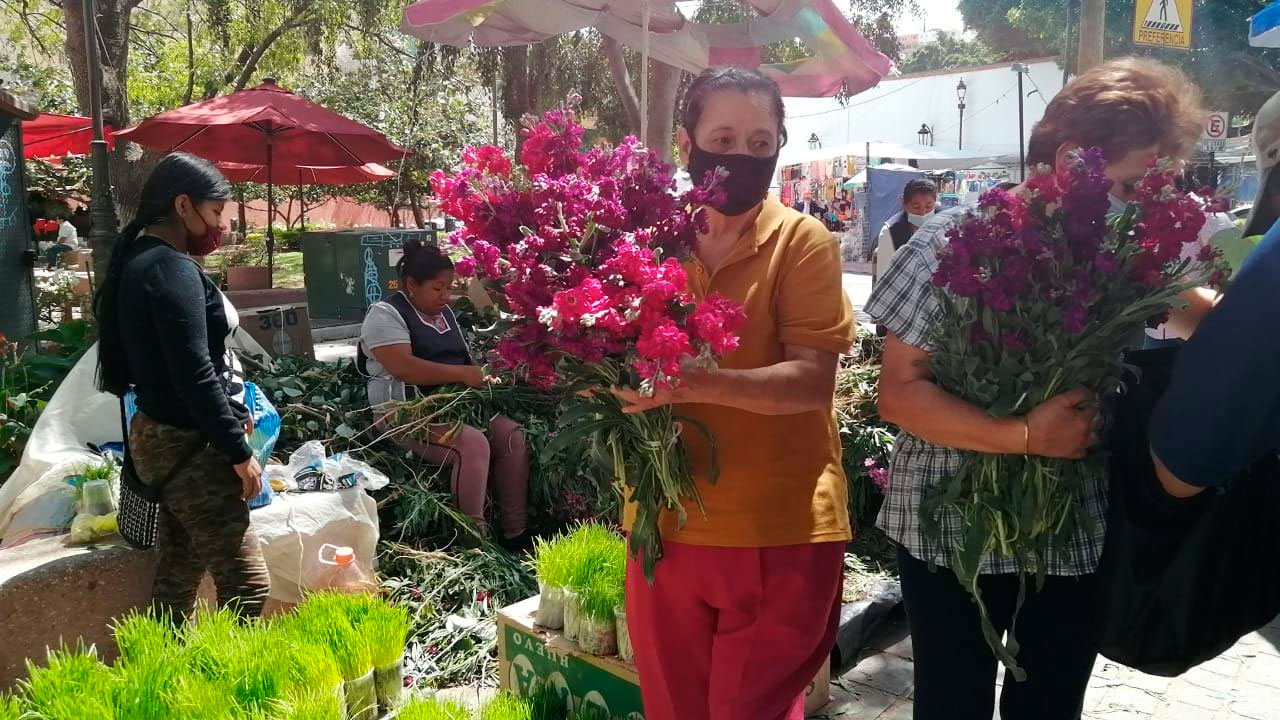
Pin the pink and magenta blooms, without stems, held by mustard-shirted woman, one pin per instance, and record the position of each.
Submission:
(584, 249)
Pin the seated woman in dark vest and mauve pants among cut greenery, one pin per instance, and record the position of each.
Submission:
(412, 345)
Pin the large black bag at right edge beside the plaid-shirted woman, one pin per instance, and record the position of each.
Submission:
(1181, 581)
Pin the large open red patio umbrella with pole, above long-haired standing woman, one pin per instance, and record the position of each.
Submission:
(264, 126)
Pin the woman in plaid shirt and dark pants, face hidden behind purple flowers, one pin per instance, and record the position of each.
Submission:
(1135, 111)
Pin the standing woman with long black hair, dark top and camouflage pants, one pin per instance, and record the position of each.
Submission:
(162, 331)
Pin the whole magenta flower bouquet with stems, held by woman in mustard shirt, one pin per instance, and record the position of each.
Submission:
(583, 252)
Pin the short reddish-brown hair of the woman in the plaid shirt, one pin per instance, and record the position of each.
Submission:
(1121, 107)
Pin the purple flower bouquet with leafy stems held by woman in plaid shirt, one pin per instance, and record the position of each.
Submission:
(1041, 293)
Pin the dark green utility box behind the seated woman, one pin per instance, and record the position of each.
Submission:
(350, 270)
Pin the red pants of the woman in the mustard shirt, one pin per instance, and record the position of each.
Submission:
(730, 634)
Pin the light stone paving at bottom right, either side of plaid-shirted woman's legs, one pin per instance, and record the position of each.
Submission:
(1242, 685)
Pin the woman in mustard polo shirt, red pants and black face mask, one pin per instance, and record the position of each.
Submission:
(743, 610)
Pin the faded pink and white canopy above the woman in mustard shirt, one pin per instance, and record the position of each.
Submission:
(844, 60)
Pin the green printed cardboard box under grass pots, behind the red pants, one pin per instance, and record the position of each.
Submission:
(528, 655)
